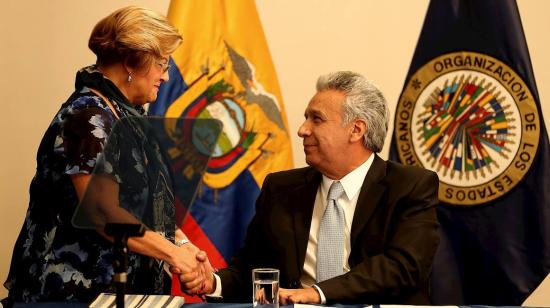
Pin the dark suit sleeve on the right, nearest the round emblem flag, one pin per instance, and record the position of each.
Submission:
(404, 265)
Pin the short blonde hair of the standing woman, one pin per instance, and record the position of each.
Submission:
(133, 35)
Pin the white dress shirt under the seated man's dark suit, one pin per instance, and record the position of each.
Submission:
(352, 183)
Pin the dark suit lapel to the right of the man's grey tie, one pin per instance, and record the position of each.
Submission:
(371, 191)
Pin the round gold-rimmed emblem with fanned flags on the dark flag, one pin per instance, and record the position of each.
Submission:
(474, 121)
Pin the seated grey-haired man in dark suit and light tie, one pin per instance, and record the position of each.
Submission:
(384, 212)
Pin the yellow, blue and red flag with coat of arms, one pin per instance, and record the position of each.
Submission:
(223, 70)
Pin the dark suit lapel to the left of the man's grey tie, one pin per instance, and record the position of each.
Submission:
(304, 197)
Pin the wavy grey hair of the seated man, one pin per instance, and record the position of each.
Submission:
(363, 101)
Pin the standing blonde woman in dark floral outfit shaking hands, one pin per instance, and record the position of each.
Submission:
(53, 260)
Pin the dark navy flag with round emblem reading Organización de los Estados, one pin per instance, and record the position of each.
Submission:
(470, 111)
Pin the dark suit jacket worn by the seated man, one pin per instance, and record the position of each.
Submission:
(394, 236)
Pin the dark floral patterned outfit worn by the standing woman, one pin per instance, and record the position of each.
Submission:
(55, 261)
